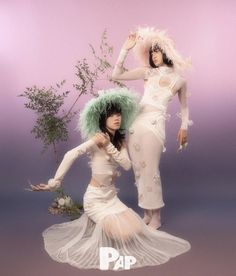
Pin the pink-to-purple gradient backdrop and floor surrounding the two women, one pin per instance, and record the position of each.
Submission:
(40, 44)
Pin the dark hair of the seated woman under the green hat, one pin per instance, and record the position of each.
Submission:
(118, 139)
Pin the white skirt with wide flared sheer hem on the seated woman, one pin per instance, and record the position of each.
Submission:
(107, 222)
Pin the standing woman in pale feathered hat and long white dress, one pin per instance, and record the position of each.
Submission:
(162, 71)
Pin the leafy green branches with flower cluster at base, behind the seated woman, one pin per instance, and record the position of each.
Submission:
(51, 125)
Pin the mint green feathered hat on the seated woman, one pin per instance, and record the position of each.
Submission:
(90, 115)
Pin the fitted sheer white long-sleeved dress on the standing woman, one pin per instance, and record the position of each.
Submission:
(147, 133)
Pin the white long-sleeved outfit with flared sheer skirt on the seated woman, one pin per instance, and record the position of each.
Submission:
(106, 222)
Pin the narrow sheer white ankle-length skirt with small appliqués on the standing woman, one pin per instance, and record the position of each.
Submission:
(146, 144)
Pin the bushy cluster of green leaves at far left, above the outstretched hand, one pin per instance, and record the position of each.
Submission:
(52, 122)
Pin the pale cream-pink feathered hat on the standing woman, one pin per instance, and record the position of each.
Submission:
(149, 37)
